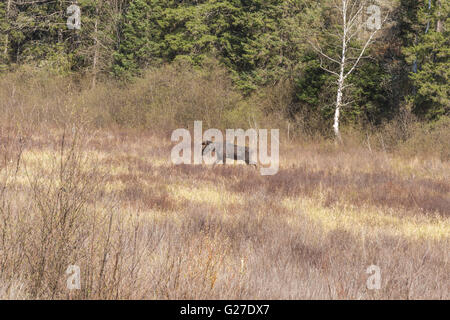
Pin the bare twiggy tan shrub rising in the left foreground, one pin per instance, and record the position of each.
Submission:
(61, 190)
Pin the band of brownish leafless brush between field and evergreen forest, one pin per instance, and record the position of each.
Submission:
(174, 96)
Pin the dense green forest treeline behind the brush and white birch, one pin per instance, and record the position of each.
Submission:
(261, 43)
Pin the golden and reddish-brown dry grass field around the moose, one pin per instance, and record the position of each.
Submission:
(139, 227)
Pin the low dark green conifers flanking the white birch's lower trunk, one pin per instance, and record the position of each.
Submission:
(368, 92)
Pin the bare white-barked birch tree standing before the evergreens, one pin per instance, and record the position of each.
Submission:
(357, 20)
